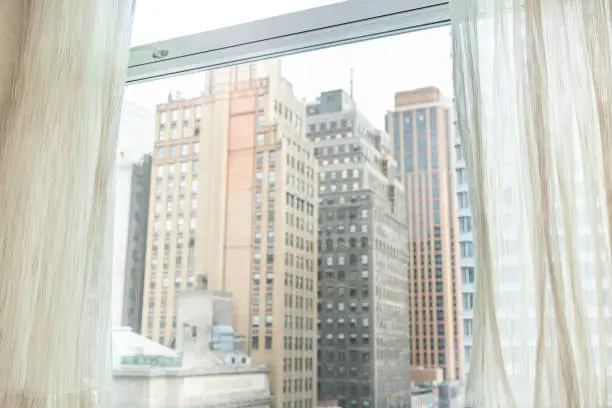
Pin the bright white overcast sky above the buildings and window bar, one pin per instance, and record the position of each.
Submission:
(380, 67)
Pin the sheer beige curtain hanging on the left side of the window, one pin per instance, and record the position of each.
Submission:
(61, 83)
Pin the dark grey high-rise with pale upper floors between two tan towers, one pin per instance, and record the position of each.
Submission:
(363, 257)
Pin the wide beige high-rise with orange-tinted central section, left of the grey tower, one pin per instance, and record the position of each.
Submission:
(234, 198)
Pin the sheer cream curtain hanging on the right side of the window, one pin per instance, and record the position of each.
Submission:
(534, 101)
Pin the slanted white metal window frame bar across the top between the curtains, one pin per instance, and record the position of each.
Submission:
(340, 23)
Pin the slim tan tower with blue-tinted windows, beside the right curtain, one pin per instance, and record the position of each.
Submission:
(423, 138)
